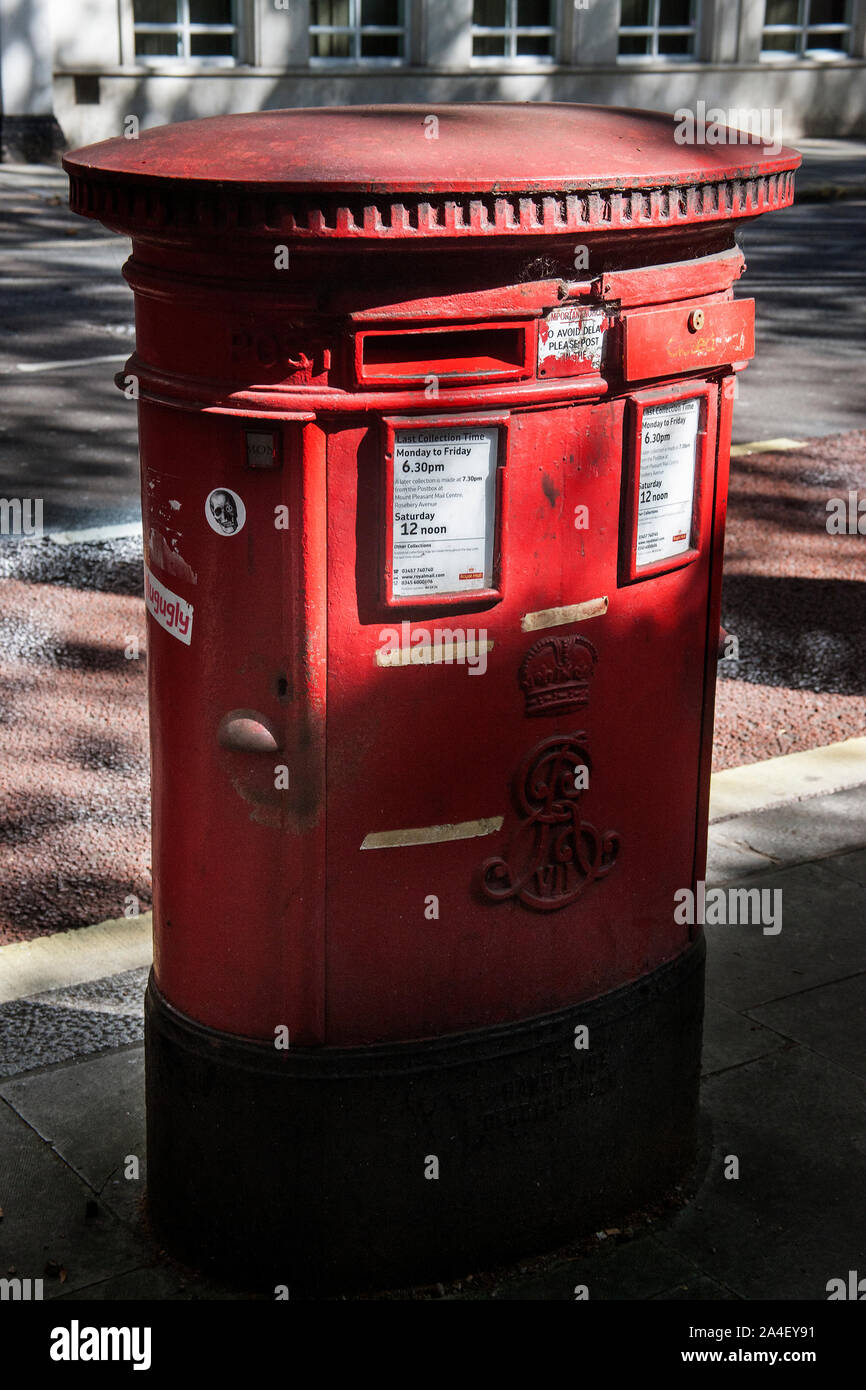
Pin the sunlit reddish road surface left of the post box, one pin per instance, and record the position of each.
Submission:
(74, 812)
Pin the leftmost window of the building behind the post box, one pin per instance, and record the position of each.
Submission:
(187, 30)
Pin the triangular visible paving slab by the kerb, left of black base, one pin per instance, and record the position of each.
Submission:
(108, 1090)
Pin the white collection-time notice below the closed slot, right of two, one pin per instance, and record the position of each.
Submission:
(668, 480)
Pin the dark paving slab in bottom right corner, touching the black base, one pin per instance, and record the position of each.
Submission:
(797, 1125)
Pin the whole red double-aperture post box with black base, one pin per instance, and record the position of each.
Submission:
(436, 414)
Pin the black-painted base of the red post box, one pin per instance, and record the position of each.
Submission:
(311, 1168)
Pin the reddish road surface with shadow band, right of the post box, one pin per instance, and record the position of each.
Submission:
(796, 597)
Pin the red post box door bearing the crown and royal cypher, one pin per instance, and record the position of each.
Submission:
(468, 882)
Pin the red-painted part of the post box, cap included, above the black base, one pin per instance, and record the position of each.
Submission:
(350, 842)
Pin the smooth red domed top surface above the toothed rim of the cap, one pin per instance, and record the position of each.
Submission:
(496, 147)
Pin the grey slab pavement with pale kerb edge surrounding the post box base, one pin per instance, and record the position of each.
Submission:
(785, 1090)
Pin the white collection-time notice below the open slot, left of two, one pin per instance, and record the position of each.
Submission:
(444, 511)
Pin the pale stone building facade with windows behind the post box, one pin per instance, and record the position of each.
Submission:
(87, 67)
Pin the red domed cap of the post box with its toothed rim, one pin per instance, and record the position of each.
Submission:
(404, 173)
